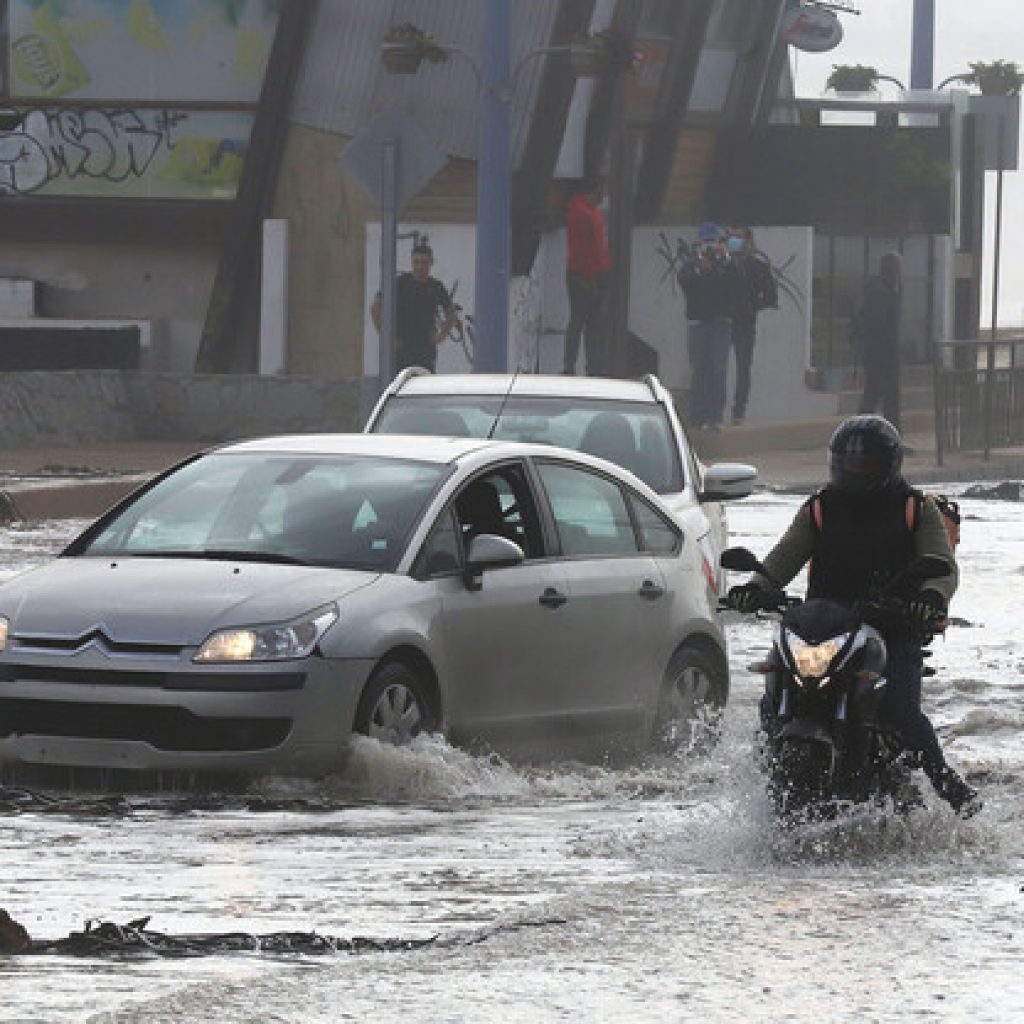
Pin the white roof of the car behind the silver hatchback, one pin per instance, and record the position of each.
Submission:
(528, 385)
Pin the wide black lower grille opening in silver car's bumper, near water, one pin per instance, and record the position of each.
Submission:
(164, 729)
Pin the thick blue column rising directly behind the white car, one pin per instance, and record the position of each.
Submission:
(494, 193)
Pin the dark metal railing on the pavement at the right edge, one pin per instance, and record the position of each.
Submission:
(979, 396)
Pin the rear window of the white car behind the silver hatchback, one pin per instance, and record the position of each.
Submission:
(633, 435)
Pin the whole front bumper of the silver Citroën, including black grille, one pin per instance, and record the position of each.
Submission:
(165, 714)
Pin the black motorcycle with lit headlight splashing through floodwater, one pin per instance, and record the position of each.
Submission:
(825, 743)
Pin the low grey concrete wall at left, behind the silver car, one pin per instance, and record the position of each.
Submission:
(90, 407)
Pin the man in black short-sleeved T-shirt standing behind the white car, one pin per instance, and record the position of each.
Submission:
(419, 302)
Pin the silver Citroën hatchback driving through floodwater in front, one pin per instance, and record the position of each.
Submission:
(254, 607)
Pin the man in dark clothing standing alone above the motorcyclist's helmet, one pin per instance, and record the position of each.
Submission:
(876, 335)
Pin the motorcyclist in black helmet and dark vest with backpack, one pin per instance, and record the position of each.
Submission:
(858, 534)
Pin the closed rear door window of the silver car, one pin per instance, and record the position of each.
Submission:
(590, 511)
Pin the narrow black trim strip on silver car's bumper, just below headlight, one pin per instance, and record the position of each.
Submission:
(206, 682)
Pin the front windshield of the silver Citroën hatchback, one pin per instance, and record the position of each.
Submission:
(340, 511)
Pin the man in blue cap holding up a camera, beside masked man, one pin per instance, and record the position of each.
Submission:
(709, 283)
